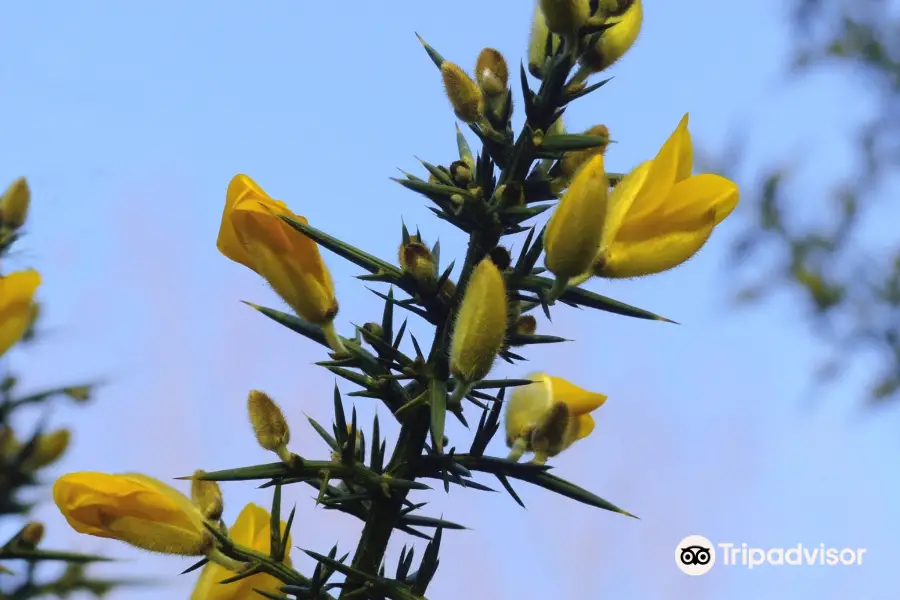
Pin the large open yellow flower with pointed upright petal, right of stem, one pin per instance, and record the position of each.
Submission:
(660, 215)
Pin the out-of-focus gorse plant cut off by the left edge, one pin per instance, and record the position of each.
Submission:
(25, 457)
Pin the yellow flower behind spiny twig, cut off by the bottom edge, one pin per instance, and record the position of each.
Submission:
(251, 530)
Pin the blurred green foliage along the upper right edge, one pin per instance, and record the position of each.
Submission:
(850, 289)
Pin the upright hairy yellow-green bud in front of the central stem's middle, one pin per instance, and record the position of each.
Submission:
(480, 325)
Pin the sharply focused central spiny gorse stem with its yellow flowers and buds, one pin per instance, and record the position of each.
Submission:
(605, 225)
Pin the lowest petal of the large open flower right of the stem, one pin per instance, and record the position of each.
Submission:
(653, 255)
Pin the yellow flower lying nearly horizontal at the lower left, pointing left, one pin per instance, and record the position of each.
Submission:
(133, 508)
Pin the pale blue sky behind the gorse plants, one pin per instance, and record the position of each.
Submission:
(130, 119)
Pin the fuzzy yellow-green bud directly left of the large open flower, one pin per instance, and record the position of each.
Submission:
(573, 232)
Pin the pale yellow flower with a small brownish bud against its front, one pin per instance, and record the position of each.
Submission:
(548, 416)
